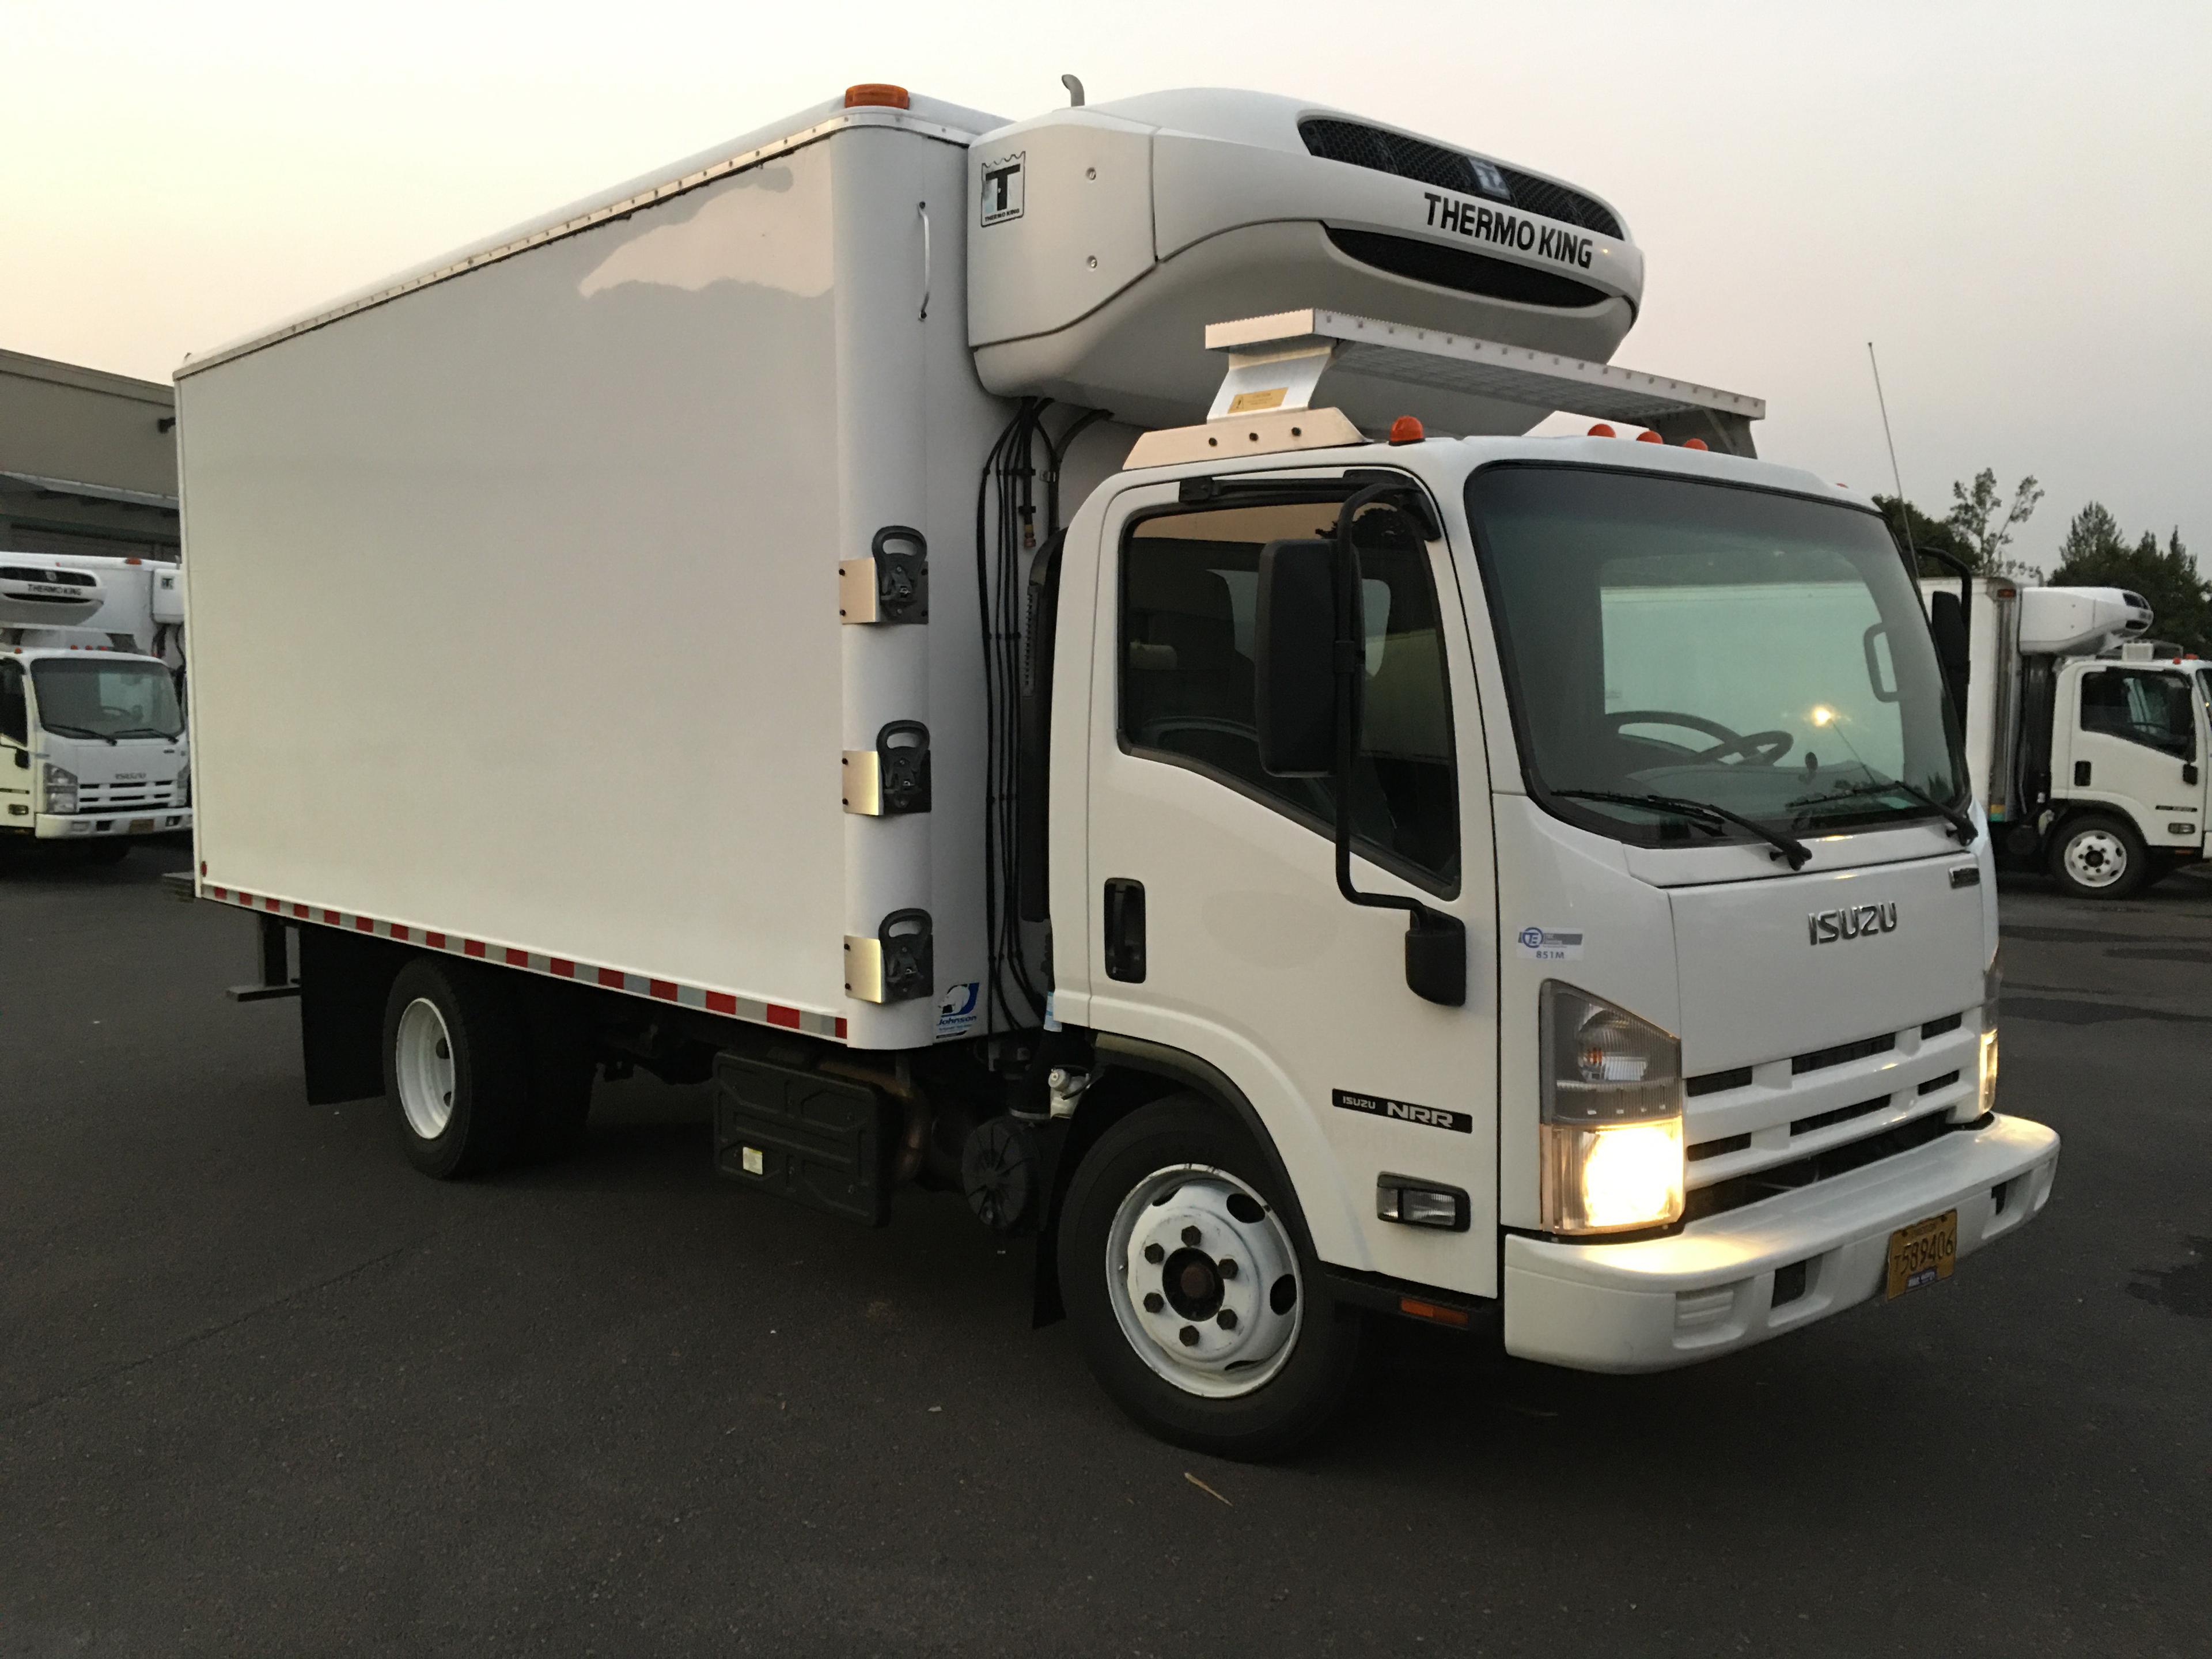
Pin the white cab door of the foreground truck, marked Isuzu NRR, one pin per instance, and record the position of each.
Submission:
(1213, 919)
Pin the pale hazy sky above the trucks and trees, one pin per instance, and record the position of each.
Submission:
(2014, 202)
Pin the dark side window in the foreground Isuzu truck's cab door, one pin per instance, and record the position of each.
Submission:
(1187, 680)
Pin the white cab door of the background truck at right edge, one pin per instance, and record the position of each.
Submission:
(2133, 742)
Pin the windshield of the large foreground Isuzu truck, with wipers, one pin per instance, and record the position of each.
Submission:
(1718, 647)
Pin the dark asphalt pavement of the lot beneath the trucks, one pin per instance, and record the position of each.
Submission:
(269, 1392)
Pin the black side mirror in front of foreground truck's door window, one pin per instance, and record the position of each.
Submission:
(1295, 660)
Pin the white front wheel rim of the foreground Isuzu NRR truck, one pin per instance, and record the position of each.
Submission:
(1204, 1282)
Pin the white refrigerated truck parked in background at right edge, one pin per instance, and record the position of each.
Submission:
(2087, 751)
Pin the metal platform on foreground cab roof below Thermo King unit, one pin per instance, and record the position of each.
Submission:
(1275, 366)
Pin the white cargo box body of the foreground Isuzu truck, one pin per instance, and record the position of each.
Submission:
(514, 596)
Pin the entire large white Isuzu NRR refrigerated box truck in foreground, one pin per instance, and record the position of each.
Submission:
(1054, 718)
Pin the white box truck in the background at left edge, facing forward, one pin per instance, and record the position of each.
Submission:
(92, 711)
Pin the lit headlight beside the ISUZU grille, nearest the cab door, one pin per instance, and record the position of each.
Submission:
(1611, 1123)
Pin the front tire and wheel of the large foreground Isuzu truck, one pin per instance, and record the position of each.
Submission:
(1244, 1364)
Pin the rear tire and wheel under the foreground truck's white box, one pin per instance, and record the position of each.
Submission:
(457, 1070)
